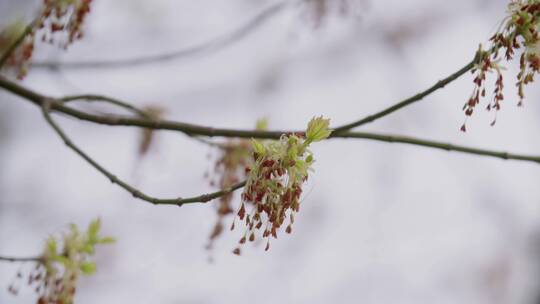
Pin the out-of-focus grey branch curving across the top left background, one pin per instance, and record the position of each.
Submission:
(211, 46)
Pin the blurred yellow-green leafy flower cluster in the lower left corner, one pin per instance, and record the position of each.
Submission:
(55, 276)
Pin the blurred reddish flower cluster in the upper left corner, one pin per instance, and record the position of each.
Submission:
(59, 22)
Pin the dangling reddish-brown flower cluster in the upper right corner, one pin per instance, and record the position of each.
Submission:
(519, 31)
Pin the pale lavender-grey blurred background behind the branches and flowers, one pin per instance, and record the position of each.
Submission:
(380, 223)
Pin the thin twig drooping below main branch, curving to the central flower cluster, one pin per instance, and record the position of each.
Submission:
(115, 180)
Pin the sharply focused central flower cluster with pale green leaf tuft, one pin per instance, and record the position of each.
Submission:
(274, 185)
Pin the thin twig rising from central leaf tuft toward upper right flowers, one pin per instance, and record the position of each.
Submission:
(406, 102)
